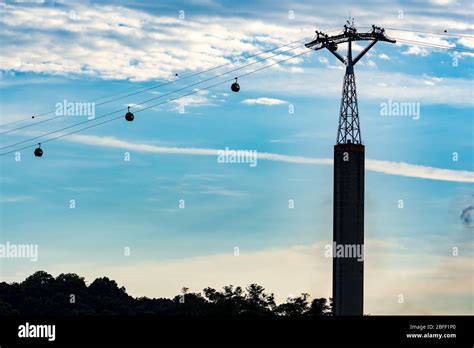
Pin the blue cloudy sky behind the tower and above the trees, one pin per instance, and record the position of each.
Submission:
(189, 220)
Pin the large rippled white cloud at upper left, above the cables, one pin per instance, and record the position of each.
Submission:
(114, 42)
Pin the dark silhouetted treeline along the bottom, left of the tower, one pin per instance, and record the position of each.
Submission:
(68, 295)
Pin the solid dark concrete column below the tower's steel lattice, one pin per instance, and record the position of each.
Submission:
(348, 229)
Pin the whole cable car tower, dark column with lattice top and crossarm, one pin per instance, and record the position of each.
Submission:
(349, 169)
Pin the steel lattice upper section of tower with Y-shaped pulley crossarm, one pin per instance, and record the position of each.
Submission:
(348, 131)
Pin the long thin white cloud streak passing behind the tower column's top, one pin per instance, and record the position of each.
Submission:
(385, 167)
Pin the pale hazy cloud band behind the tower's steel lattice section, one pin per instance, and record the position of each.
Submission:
(397, 86)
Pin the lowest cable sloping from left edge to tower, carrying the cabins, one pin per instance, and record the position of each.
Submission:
(149, 107)
